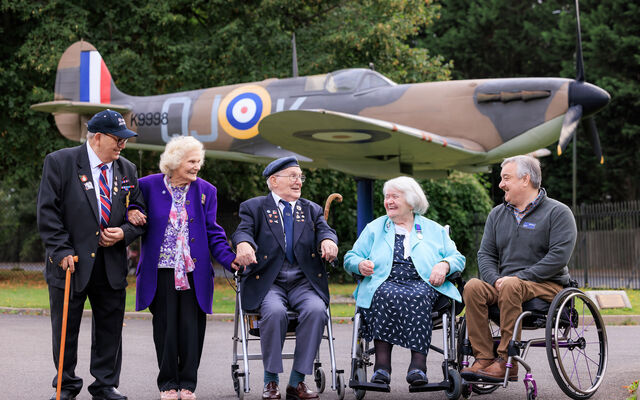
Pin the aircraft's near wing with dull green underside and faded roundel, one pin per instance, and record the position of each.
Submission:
(346, 142)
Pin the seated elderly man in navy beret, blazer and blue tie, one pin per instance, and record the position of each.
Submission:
(282, 238)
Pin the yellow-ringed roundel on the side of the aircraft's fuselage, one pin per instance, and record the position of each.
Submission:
(242, 109)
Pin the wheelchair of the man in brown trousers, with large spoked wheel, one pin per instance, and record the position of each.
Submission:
(575, 340)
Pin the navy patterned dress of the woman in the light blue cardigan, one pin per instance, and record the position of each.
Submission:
(400, 311)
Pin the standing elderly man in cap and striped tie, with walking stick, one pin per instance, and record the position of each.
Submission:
(82, 202)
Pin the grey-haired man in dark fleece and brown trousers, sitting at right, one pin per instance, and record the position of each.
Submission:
(526, 245)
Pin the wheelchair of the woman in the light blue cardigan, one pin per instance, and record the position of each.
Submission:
(443, 315)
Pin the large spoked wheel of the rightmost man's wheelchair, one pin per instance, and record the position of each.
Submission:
(576, 342)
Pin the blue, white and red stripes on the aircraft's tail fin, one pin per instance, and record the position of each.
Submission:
(95, 79)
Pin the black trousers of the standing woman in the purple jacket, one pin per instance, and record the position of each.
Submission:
(178, 332)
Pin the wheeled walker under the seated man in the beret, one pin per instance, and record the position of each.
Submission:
(246, 331)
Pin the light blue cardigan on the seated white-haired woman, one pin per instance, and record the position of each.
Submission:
(376, 244)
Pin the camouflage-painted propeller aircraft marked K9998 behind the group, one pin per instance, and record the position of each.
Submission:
(352, 120)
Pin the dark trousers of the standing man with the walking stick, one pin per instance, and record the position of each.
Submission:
(107, 306)
